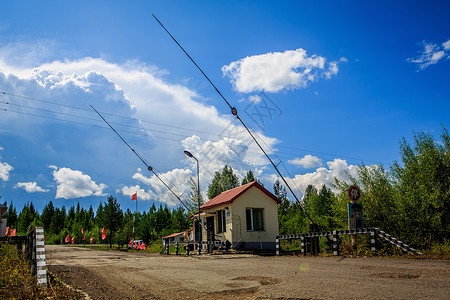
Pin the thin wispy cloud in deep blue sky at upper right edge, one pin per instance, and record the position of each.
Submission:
(431, 54)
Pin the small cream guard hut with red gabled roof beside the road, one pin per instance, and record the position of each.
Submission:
(245, 216)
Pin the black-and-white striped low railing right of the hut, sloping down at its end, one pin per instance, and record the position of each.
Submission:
(334, 236)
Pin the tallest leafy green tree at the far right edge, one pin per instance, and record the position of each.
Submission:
(423, 184)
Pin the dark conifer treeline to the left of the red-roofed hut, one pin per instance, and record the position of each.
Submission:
(149, 226)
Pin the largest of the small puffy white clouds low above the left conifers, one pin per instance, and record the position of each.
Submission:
(73, 184)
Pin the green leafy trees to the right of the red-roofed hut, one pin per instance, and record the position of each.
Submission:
(410, 201)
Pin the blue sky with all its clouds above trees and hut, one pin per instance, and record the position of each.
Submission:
(323, 85)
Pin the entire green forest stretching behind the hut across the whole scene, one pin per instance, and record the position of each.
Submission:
(410, 200)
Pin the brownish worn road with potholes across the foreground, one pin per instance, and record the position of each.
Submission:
(124, 275)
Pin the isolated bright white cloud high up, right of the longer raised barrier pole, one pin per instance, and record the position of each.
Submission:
(276, 71)
